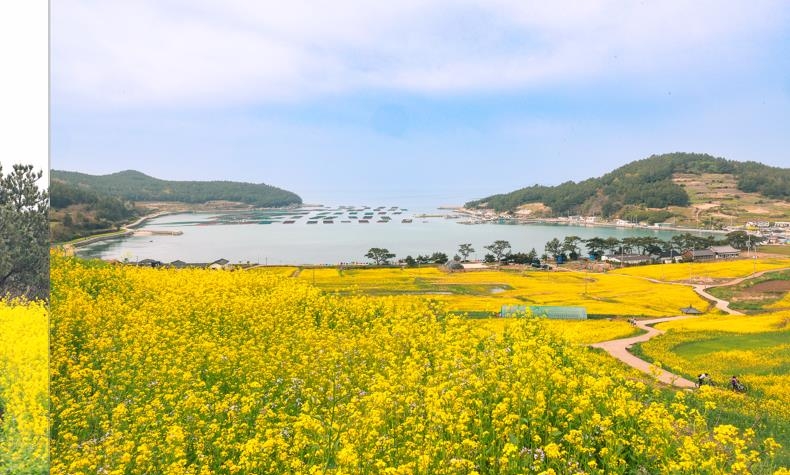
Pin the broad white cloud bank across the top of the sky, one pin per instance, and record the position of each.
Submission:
(198, 52)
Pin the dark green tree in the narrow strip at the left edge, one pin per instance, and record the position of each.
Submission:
(24, 237)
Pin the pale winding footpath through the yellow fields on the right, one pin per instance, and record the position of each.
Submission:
(619, 348)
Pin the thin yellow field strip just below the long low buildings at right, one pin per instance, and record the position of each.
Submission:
(721, 269)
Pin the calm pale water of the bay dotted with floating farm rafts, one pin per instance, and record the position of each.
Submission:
(263, 237)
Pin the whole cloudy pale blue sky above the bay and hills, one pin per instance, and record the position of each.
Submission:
(439, 102)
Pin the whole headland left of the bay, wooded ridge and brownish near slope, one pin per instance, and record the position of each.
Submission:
(84, 205)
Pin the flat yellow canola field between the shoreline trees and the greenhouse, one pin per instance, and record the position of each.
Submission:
(487, 291)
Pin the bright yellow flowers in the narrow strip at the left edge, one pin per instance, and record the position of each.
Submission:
(23, 388)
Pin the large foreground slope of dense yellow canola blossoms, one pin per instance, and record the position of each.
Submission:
(197, 372)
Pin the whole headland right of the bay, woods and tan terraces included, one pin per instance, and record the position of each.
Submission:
(685, 188)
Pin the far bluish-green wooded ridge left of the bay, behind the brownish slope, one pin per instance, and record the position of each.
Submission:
(135, 186)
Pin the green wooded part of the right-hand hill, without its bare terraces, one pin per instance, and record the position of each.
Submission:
(649, 183)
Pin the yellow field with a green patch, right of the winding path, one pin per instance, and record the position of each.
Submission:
(755, 348)
